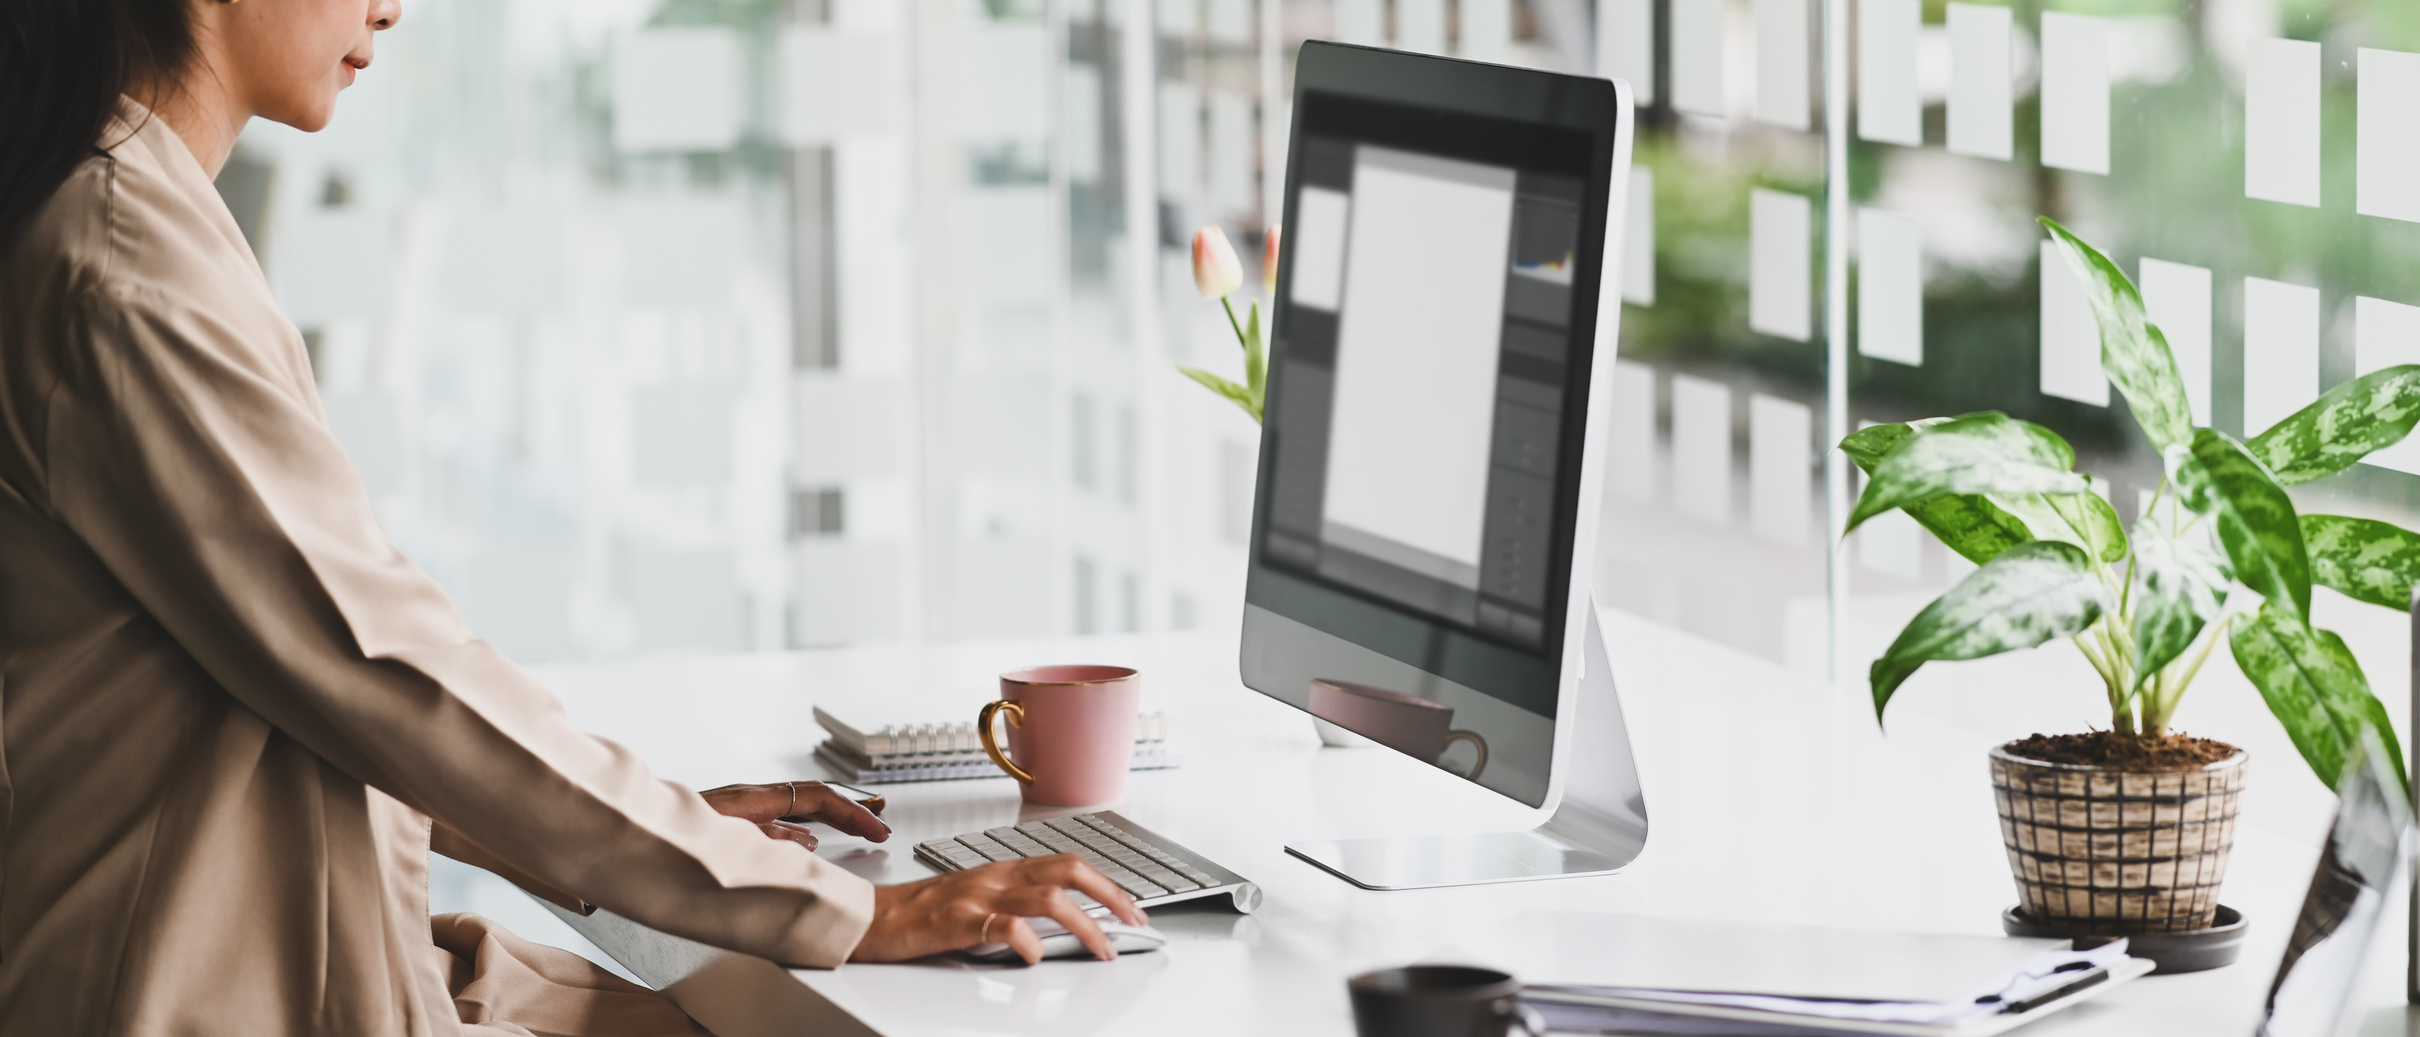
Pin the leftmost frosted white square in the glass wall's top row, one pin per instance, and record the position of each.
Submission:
(676, 91)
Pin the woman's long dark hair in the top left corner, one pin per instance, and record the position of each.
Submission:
(62, 71)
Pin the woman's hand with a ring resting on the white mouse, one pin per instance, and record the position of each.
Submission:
(986, 905)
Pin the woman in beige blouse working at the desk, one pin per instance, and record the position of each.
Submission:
(234, 719)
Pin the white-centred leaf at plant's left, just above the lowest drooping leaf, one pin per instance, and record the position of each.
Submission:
(1978, 453)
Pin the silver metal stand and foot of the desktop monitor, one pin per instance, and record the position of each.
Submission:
(1598, 828)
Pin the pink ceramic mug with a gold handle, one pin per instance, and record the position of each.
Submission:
(1071, 734)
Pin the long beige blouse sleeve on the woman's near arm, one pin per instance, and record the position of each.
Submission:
(192, 456)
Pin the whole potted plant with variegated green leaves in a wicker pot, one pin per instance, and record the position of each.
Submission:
(2126, 830)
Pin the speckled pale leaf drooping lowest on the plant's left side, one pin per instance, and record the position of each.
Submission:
(2032, 593)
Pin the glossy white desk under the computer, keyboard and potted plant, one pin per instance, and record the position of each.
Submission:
(1773, 799)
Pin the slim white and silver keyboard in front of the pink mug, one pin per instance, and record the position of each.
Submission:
(1148, 867)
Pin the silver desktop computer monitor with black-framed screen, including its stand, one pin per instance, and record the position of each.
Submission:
(1431, 446)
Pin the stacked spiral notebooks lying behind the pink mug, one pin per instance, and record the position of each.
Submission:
(943, 751)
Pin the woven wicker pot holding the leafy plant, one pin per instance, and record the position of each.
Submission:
(2116, 852)
